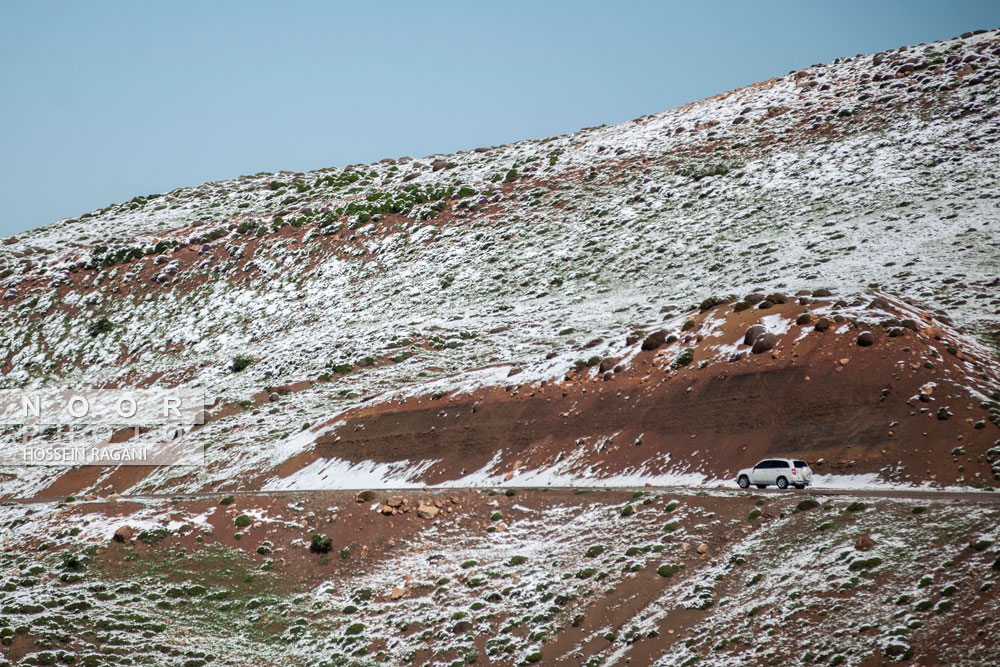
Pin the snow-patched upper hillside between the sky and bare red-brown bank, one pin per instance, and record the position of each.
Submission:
(872, 172)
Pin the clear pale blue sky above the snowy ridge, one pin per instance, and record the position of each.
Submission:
(107, 100)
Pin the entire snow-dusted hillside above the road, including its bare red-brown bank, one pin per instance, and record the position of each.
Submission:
(505, 266)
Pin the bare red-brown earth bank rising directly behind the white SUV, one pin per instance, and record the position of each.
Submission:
(847, 409)
